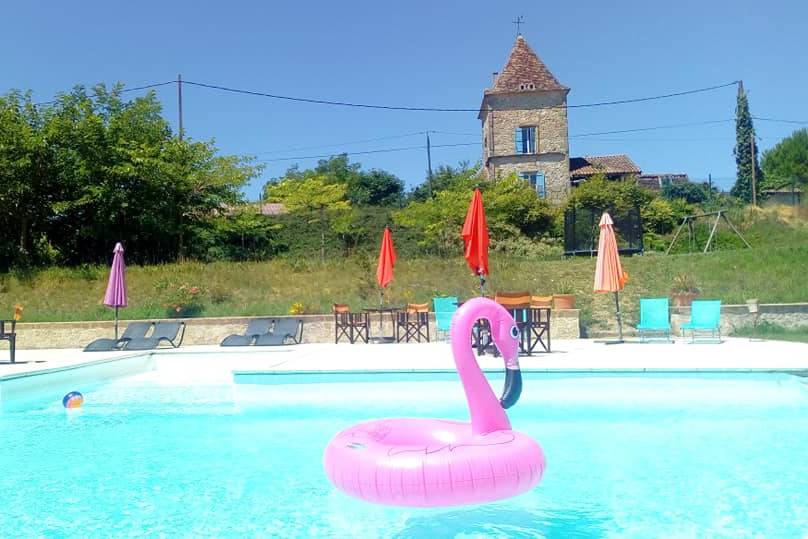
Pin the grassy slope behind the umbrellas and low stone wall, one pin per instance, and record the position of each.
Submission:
(772, 272)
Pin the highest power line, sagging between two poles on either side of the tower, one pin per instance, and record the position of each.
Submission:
(440, 109)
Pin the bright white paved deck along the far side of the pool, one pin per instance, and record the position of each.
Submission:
(582, 355)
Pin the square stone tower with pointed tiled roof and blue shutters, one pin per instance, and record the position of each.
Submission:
(524, 124)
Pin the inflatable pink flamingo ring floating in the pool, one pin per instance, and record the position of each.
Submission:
(420, 462)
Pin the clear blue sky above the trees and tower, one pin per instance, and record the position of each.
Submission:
(425, 53)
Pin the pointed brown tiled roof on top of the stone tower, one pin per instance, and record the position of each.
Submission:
(524, 72)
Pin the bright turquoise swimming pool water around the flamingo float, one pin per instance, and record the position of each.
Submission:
(628, 456)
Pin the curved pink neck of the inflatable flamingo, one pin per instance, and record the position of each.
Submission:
(487, 415)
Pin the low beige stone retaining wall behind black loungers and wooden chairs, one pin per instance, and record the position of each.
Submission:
(316, 328)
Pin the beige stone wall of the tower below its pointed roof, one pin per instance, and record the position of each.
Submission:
(543, 110)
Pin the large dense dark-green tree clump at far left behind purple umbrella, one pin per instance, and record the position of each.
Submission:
(92, 169)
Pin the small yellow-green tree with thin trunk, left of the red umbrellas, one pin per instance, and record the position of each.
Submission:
(313, 197)
